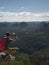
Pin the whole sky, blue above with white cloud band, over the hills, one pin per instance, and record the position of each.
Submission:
(24, 10)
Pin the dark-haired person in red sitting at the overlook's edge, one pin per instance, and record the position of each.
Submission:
(4, 46)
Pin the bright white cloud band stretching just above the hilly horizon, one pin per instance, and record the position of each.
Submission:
(23, 16)
